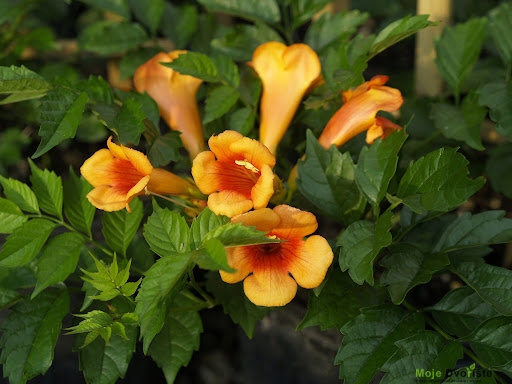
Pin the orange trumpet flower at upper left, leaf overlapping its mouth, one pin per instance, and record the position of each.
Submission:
(175, 95)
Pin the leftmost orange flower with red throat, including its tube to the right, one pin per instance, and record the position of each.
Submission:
(118, 174)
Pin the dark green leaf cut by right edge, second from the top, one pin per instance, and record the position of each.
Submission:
(497, 96)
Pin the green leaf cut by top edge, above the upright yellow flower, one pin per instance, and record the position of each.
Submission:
(255, 10)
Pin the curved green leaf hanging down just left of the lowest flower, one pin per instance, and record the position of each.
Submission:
(155, 289)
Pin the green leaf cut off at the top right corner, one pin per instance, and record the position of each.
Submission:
(500, 22)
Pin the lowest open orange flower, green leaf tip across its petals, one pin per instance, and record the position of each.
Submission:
(271, 272)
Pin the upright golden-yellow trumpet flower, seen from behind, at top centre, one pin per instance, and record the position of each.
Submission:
(287, 74)
